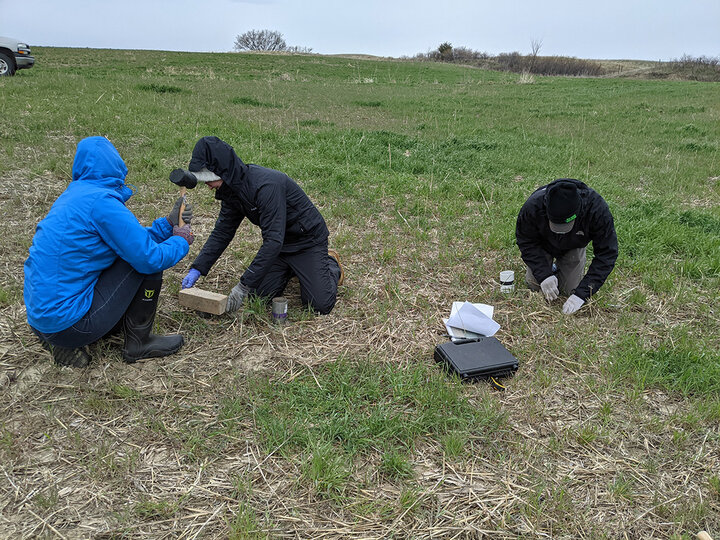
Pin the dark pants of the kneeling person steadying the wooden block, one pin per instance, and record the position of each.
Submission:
(317, 272)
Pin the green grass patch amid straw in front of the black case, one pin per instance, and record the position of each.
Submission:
(331, 416)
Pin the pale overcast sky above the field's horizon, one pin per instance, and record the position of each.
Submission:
(609, 29)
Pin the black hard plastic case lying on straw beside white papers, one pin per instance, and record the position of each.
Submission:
(478, 358)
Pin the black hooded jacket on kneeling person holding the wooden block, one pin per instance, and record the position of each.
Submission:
(270, 199)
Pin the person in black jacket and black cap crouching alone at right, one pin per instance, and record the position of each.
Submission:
(553, 229)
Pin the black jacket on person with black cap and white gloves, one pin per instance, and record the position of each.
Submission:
(593, 224)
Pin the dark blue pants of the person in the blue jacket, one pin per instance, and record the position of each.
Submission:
(112, 295)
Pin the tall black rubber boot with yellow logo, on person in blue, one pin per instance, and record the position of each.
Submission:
(140, 342)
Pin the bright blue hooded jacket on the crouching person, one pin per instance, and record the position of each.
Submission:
(86, 230)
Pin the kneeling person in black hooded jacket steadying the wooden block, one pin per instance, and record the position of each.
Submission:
(294, 234)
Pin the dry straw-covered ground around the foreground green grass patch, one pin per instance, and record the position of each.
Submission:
(127, 451)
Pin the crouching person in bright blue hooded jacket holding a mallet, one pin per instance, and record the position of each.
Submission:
(93, 266)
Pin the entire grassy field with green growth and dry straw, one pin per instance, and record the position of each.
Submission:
(342, 426)
